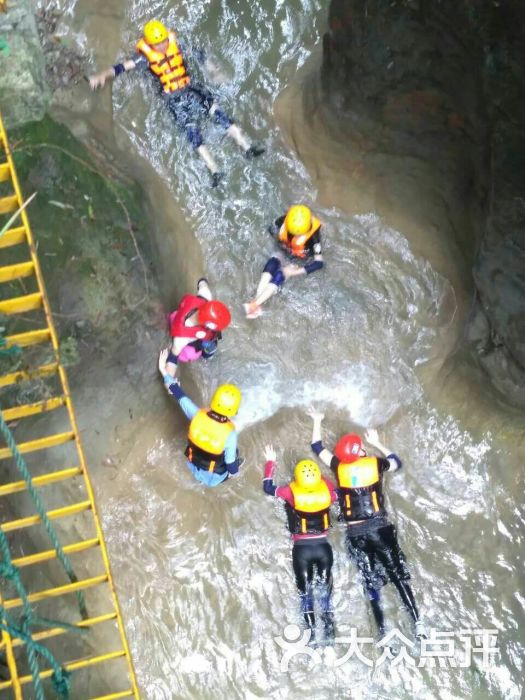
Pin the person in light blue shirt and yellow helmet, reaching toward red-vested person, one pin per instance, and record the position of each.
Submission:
(211, 452)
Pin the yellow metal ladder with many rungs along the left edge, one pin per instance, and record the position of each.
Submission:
(9, 202)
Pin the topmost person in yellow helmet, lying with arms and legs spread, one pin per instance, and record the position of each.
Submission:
(160, 51)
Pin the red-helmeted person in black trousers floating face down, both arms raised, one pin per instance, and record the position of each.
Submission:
(370, 538)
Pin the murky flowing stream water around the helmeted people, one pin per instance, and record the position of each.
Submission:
(205, 575)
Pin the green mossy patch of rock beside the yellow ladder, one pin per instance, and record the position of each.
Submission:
(85, 223)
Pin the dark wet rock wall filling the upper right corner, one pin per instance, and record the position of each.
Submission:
(428, 103)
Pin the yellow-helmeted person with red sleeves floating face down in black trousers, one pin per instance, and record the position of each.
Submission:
(307, 501)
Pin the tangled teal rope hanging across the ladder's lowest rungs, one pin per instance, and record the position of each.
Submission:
(59, 677)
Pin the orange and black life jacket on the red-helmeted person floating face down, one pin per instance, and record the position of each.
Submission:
(360, 492)
